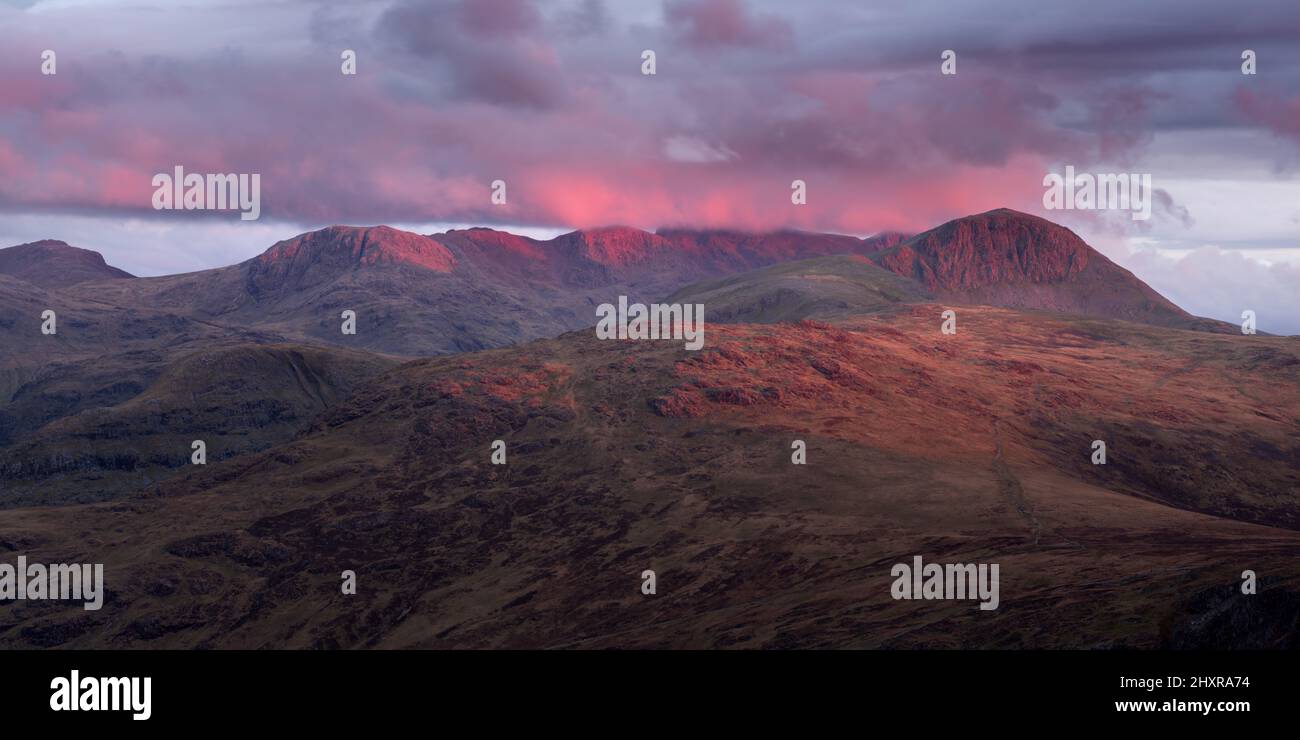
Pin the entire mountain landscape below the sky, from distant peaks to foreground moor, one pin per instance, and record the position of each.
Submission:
(370, 452)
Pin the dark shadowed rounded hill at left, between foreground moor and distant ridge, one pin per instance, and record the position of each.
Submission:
(235, 397)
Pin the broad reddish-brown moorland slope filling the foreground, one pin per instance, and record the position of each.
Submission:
(640, 456)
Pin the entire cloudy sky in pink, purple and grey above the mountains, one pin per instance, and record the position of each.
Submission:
(549, 97)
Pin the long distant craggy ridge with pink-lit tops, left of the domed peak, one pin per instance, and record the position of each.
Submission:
(461, 291)
